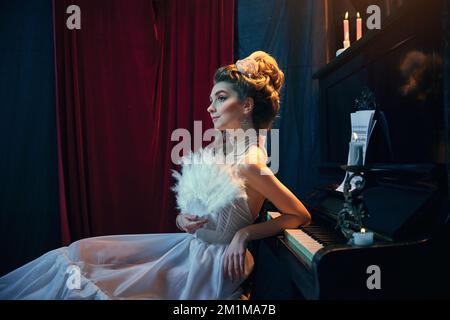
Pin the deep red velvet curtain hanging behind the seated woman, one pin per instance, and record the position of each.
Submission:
(135, 71)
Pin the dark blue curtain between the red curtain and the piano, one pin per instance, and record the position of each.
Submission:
(292, 31)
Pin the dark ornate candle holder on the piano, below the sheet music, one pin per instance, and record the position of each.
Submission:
(354, 211)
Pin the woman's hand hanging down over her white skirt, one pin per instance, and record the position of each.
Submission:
(234, 260)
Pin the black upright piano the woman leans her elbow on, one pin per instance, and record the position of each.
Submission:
(406, 193)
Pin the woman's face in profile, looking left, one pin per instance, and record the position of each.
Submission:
(226, 109)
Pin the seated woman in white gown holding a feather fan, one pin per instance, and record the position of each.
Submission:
(218, 204)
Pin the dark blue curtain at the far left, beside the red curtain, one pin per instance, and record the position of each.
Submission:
(29, 222)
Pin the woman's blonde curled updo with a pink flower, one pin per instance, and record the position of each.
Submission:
(257, 76)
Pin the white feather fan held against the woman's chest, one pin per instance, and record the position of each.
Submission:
(206, 183)
